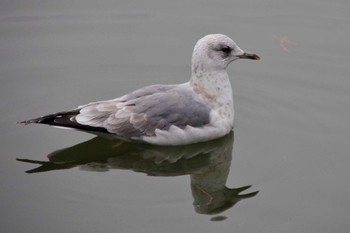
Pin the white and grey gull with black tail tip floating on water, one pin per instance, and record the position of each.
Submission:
(196, 111)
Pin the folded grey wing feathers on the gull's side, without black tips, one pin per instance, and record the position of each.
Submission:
(143, 111)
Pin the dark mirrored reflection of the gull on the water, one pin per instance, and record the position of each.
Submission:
(208, 165)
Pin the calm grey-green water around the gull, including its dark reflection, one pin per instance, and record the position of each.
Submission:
(286, 169)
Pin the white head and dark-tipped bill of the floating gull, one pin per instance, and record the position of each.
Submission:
(215, 52)
